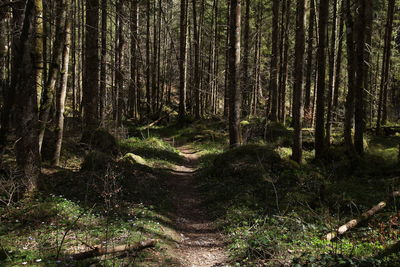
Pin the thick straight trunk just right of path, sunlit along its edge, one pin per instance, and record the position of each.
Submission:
(234, 73)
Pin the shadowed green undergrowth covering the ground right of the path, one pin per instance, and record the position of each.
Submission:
(275, 212)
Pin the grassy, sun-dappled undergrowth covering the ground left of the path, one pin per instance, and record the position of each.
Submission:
(105, 201)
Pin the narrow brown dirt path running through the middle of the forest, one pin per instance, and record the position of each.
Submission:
(201, 244)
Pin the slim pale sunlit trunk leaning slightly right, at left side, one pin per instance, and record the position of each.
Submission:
(62, 91)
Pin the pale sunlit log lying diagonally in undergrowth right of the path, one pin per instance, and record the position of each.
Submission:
(365, 216)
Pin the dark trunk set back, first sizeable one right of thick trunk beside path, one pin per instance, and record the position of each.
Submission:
(274, 61)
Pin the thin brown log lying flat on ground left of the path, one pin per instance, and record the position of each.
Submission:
(100, 251)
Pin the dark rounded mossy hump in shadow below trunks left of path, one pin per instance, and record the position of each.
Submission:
(100, 139)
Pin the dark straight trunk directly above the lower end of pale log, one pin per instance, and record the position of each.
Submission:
(321, 58)
